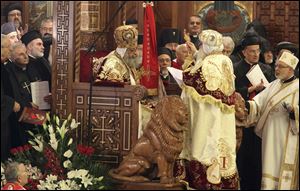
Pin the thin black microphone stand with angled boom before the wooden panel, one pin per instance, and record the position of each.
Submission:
(92, 47)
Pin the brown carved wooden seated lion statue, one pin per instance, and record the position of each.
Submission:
(159, 146)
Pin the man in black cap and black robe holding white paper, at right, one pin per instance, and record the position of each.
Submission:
(249, 154)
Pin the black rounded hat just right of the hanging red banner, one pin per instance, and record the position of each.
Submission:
(170, 35)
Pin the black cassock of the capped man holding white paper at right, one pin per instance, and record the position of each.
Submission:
(249, 154)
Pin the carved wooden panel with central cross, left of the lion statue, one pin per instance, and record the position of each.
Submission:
(114, 119)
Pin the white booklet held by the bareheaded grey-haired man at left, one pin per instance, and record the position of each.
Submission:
(39, 90)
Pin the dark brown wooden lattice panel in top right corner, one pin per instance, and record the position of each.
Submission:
(281, 19)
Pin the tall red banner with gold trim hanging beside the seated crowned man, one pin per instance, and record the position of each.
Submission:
(150, 70)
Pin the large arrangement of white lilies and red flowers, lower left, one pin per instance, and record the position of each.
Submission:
(60, 159)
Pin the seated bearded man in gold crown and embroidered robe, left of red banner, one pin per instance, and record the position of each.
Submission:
(118, 66)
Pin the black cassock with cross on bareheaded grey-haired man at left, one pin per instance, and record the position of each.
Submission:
(16, 85)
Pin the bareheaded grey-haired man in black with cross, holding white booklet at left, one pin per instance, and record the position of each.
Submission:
(16, 78)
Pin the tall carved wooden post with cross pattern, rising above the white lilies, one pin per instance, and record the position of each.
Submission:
(62, 68)
